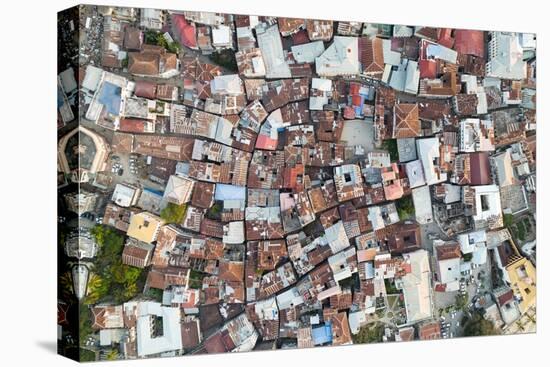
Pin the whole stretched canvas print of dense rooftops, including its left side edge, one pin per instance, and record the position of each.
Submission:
(234, 183)
